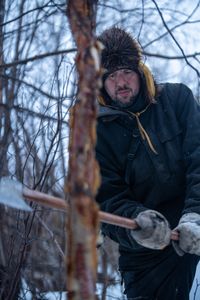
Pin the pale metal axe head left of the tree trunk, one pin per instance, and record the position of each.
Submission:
(11, 194)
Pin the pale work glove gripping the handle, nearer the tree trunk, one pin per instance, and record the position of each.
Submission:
(153, 232)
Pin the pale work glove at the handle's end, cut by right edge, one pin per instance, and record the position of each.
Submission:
(189, 235)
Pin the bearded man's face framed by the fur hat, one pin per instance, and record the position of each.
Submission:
(122, 85)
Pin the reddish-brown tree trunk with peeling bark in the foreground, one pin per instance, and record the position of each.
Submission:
(83, 177)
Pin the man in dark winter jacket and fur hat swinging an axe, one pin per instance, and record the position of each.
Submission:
(148, 148)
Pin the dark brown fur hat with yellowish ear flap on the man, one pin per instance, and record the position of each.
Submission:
(122, 51)
